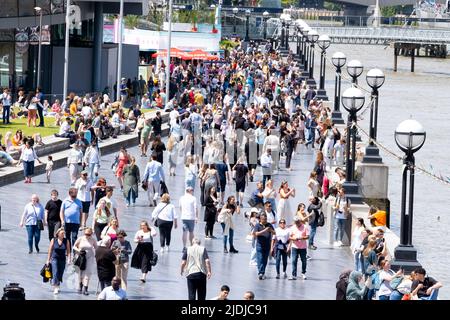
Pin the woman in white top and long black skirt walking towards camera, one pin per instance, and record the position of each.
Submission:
(144, 251)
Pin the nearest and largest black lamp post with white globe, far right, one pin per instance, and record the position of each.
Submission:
(410, 137)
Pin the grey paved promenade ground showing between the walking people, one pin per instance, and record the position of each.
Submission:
(164, 281)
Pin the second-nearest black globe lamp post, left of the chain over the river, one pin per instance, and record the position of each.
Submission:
(353, 100)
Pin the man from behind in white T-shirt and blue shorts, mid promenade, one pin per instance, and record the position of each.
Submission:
(189, 214)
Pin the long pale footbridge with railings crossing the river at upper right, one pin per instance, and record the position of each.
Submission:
(384, 36)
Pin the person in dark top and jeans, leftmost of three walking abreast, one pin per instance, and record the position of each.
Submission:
(263, 231)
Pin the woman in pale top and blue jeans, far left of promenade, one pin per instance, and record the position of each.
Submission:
(33, 218)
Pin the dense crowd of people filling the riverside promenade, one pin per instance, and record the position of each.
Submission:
(232, 124)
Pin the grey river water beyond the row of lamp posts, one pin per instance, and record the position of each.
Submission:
(424, 96)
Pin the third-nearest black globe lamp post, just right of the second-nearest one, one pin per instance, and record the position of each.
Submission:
(375, 79)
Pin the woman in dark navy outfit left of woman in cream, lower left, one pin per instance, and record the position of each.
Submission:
(58, 250)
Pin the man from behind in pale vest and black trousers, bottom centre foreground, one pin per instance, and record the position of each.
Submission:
(197, 267)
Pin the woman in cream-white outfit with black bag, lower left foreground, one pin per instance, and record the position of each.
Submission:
(86, 246)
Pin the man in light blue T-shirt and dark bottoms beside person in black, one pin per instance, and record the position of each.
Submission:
(71, 215)
